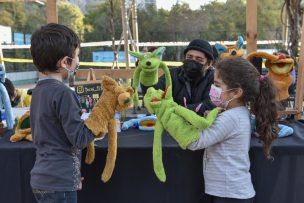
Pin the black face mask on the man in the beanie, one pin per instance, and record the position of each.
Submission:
(193, 70)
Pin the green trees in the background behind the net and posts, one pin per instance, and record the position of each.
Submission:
(213, 21)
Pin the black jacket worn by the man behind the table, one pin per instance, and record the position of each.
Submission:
(194, 93)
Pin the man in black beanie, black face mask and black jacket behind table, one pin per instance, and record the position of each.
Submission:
(192, 81)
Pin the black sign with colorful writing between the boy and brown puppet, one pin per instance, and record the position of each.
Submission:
(88, 94)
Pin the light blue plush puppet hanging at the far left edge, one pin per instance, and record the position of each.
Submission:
(5, 102)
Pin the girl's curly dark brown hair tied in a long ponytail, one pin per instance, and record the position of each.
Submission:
(258, 93)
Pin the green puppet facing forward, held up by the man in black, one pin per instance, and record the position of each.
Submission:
(146, 71)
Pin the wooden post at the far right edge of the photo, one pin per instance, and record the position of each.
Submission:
(300, 80)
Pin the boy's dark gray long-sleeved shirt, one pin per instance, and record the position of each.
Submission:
(59, 135)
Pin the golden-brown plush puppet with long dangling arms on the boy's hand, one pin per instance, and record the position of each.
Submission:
(114, 98)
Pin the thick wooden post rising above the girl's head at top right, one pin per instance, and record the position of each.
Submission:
(251, 26)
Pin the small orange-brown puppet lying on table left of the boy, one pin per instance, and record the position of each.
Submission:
(23, 129)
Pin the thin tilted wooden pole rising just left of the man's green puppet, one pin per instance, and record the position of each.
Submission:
(124, 17)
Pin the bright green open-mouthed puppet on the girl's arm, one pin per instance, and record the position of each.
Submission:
(183, 125)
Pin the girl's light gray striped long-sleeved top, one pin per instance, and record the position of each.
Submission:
(226, 161)
